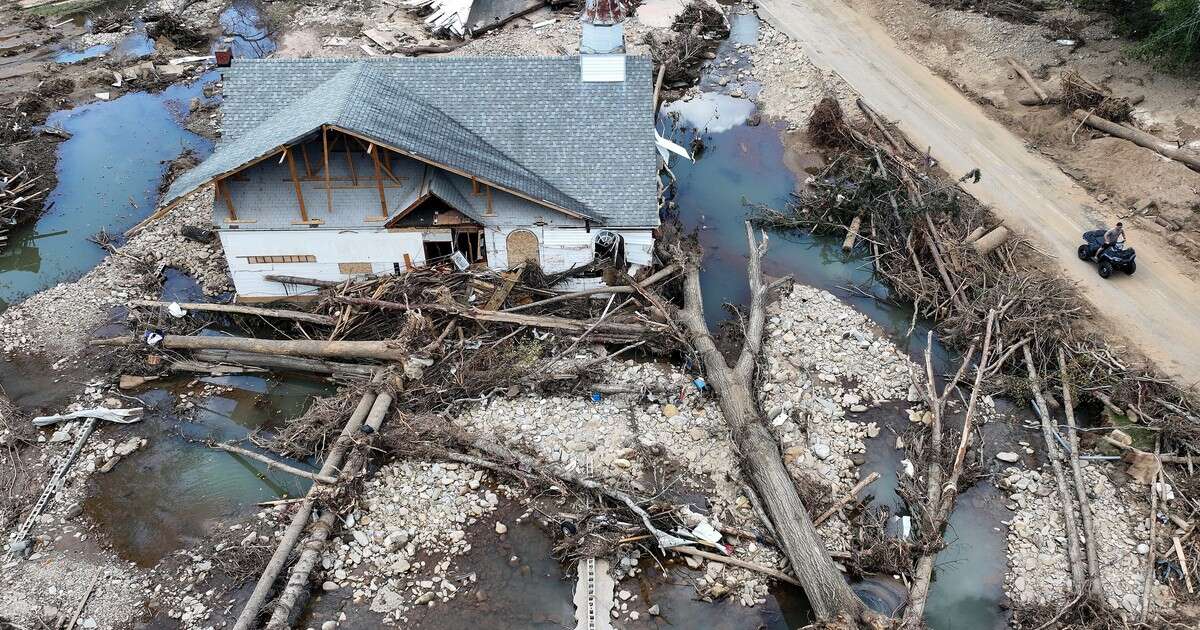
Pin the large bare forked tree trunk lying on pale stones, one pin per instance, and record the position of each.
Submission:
(761, 460)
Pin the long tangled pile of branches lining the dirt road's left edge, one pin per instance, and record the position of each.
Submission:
(928, 239)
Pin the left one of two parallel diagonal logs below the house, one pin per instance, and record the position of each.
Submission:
(301, 519)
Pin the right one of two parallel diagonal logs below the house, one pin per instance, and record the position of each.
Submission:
(295, 595)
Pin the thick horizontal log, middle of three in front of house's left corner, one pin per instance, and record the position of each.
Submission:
(343, 350)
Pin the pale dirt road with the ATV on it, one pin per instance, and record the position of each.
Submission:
(1157, 311)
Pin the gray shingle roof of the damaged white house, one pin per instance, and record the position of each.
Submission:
(527, 124)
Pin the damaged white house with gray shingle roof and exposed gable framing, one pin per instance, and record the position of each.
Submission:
(333, 169)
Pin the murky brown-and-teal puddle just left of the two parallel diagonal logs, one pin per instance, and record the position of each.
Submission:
(169, 495)
